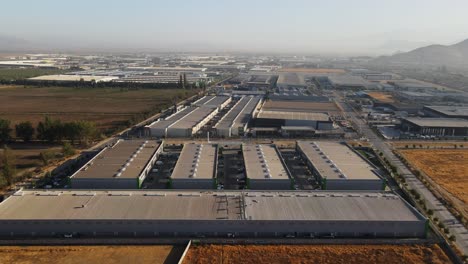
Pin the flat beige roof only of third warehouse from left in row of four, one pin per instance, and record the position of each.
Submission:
(262, 162)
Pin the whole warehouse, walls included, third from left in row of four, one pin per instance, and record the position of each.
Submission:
(265, 168)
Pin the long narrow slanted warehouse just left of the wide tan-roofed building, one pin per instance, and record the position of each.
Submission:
(235, 122)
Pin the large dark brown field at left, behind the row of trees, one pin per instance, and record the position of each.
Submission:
(109, 108)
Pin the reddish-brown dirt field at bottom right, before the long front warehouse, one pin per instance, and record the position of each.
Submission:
(349, 254)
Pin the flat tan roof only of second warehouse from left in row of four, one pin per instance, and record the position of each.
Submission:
(196, 161)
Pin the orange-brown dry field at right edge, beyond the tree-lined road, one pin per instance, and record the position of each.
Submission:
(447, 167)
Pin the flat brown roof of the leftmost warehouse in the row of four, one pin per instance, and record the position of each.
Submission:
(125, 159)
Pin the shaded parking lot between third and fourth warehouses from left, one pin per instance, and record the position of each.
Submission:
(304, 180)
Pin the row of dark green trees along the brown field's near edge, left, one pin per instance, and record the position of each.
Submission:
(50, 130)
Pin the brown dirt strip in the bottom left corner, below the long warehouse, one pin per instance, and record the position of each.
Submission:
(89, 254)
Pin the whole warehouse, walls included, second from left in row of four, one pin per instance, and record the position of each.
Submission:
(196, 167)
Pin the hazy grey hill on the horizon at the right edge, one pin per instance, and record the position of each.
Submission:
(451, 55)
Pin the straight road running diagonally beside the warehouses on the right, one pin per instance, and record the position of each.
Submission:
(440, 211)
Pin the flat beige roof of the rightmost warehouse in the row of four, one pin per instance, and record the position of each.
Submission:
(337, 161)
